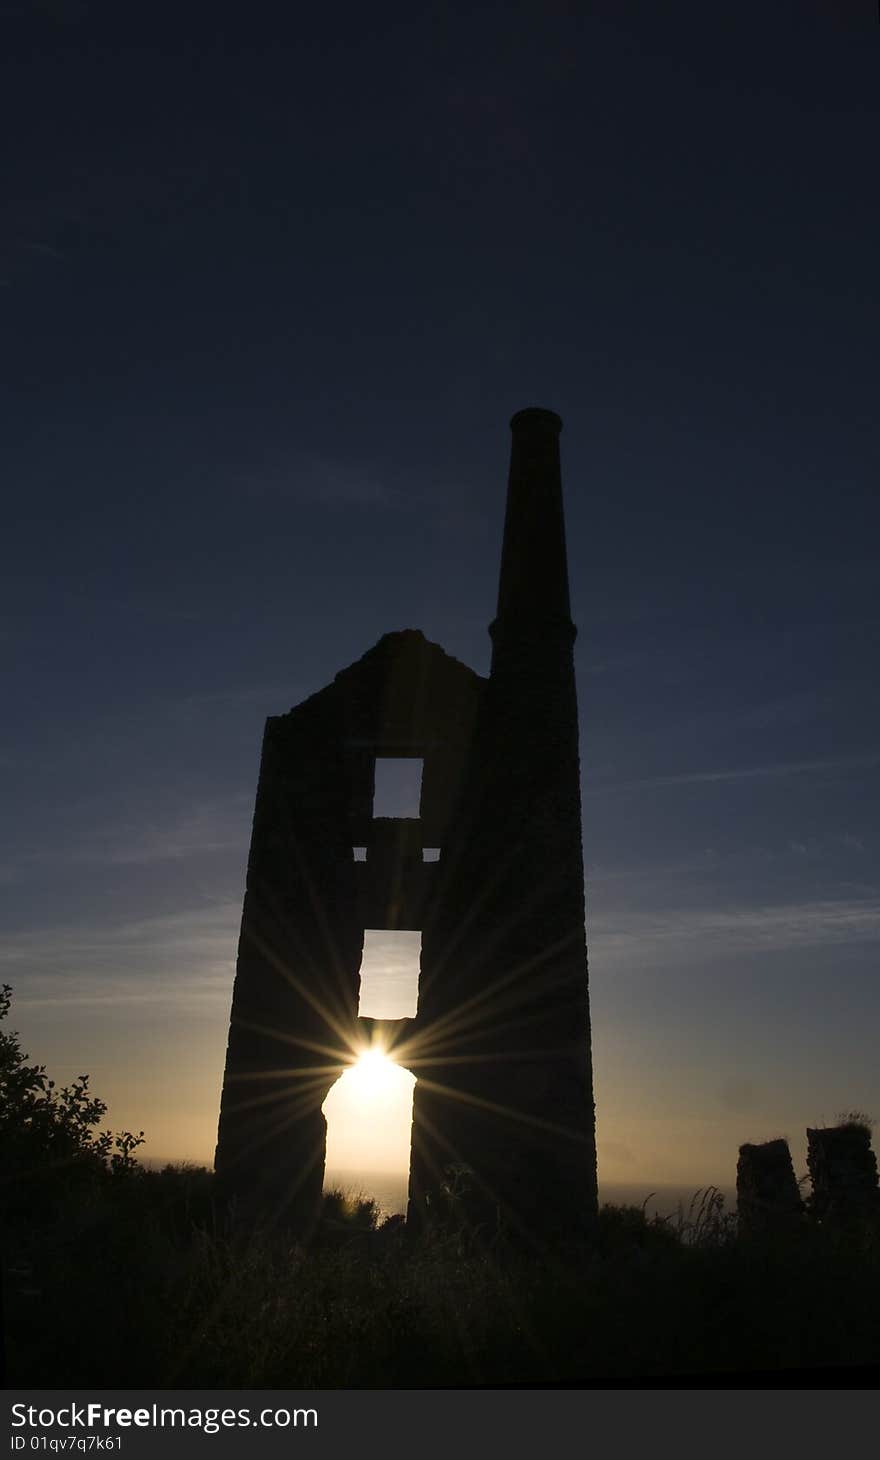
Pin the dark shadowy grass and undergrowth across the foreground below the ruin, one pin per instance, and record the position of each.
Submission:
(145, 1284)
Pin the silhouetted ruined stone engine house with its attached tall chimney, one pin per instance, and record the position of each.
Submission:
(500, 1042)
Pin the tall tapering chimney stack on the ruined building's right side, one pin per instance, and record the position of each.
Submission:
(535, 783)
